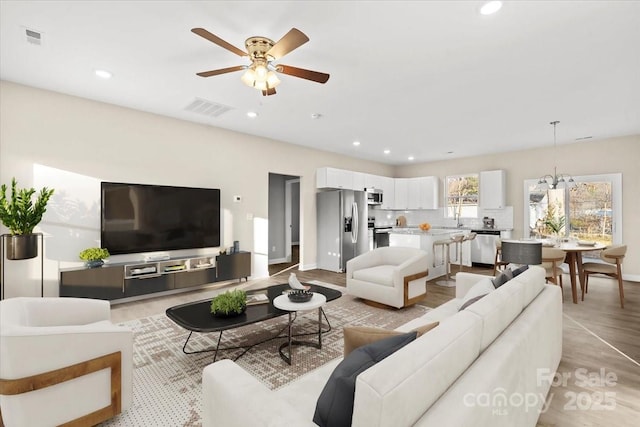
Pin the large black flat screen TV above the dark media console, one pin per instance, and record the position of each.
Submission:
(146, 218)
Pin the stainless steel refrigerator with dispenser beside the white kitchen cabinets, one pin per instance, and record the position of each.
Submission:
(342, 228)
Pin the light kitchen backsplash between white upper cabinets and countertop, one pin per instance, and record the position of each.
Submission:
(503, 217)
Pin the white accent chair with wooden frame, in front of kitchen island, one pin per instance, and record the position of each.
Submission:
(392, 276)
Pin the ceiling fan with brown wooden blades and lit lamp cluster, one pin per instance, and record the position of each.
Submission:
(261, 74)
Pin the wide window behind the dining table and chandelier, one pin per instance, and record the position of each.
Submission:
(590, 210)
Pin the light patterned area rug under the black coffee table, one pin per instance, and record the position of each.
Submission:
(167, 383)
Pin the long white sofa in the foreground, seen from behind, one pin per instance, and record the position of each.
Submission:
(488, 365)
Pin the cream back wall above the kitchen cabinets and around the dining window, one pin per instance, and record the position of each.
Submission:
(613, 155)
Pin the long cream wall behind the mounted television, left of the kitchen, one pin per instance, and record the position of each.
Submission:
(71, 144)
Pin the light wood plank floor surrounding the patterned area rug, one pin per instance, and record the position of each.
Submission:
(601, 345)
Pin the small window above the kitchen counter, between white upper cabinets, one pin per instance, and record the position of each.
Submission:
(461, 196)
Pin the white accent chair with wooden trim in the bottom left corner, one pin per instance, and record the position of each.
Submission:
(62, 361)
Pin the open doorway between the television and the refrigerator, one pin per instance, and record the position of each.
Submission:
(284, 222)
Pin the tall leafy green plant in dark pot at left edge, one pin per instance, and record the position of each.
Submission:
(20, 214)
